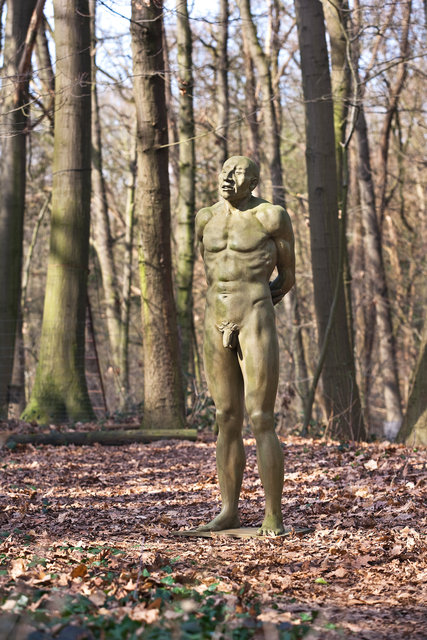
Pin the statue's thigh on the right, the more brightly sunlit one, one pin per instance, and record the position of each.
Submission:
(260, 361)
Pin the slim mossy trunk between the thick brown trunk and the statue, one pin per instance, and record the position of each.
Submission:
(186, 186)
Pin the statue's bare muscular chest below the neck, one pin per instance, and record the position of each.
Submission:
(235, 232)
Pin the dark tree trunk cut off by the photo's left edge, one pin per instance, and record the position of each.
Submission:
(14, 97)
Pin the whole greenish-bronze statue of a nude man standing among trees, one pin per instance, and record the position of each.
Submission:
(242, 240)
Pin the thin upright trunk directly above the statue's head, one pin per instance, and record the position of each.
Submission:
(222, 87)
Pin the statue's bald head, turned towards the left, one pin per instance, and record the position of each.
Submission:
(238, 178)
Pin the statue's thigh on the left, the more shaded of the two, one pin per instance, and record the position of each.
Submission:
(223, 373)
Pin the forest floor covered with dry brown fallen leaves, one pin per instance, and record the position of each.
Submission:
(87, 549)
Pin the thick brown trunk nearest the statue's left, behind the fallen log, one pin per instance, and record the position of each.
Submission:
(163, 386)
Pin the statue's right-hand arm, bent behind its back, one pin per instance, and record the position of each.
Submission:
(283, 235)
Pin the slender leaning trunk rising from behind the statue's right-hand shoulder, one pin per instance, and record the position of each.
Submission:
(274, 190)
